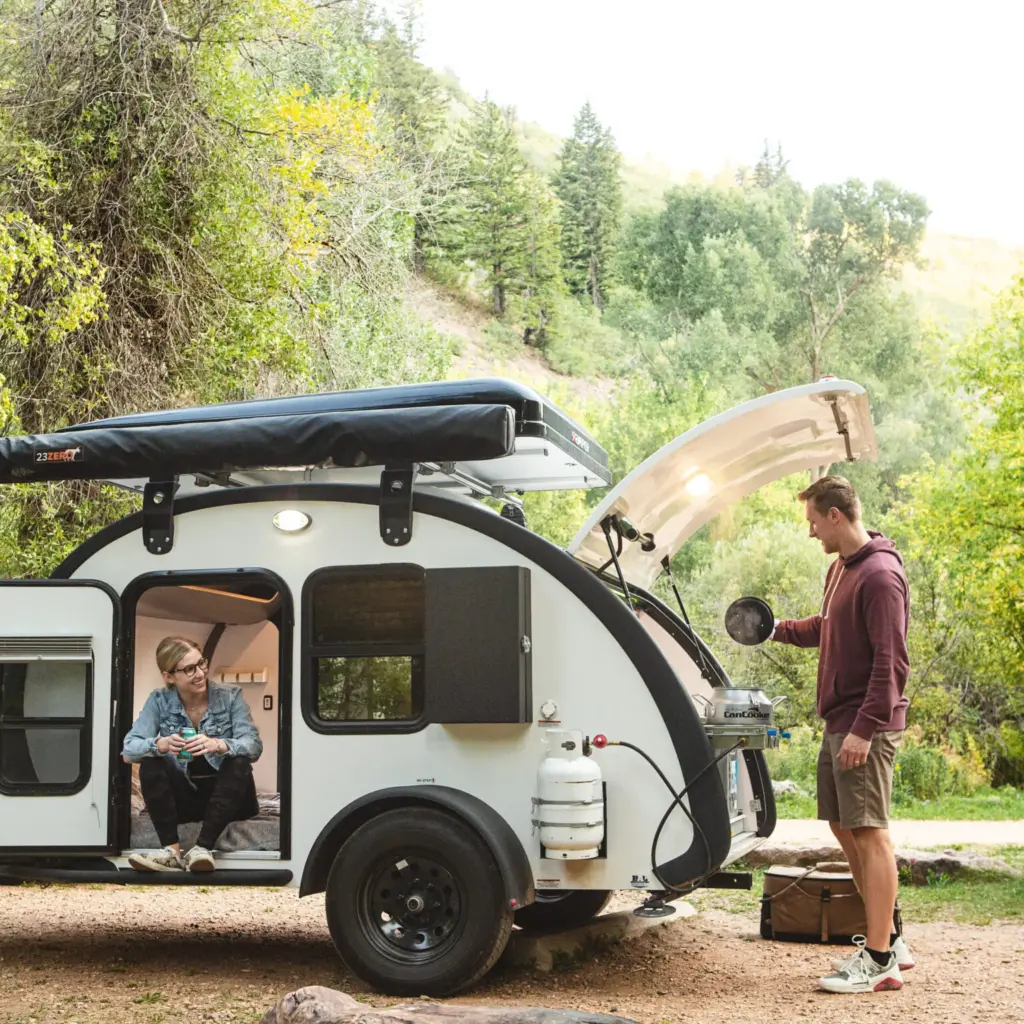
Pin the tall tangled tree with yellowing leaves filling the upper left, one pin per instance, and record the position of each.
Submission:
(199, 202)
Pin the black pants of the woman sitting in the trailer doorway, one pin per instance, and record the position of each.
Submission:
(219, 797)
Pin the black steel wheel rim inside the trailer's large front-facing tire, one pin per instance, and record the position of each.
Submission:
(414, 904)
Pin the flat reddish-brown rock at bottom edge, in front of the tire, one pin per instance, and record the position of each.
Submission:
(316, 1005)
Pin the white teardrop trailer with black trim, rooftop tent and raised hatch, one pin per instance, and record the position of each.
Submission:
(464, 727)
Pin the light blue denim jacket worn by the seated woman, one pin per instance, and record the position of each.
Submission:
(228, 718)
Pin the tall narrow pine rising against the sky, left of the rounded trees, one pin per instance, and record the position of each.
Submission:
(589, 186)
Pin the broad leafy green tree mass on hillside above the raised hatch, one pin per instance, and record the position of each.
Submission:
(783, 272)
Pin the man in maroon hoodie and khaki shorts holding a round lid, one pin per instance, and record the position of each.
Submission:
(863, 671)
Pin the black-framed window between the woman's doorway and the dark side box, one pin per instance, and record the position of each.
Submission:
(366, 637)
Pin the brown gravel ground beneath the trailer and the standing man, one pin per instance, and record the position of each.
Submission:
(110, 955)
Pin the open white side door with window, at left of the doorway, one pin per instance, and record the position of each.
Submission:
(57, 710)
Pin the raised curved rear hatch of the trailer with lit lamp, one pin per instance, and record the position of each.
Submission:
(694, 479)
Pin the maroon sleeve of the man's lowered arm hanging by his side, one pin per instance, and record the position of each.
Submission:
(884, 605)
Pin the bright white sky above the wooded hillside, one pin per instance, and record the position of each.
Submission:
(927, 95)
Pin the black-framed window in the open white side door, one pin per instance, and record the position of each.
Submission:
(45, 719)
